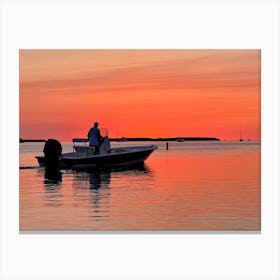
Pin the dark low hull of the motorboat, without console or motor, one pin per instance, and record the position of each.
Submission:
(117, 157)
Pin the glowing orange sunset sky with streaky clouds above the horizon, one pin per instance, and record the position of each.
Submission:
(140, 93)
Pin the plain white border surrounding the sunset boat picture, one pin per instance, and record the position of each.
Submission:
(140, 24)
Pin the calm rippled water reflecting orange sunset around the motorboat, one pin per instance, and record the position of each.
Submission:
(192, 186)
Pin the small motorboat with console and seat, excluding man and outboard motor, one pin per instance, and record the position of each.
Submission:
(83, 155)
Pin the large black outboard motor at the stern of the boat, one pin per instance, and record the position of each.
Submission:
(52, 151)
